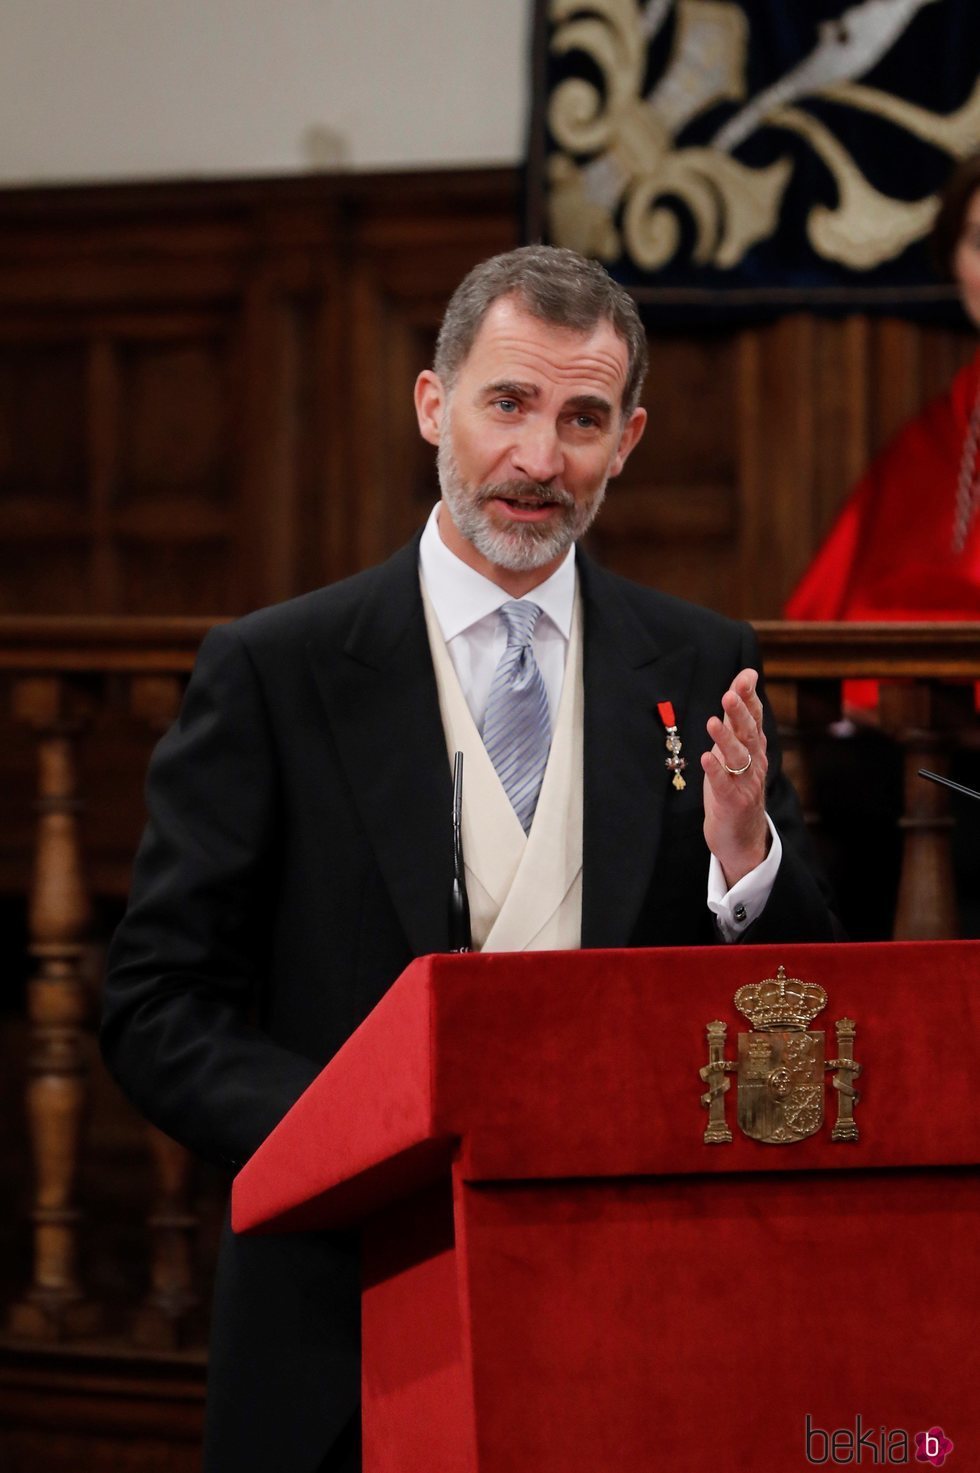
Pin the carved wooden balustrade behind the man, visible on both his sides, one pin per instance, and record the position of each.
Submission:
(61, 677)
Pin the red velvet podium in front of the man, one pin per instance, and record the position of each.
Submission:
(564, 1278)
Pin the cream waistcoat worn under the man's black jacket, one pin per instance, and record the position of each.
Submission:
(525, 890)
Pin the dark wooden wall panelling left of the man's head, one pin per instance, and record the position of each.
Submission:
(206, 390)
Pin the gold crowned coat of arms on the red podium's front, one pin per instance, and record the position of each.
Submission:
(780, 1067)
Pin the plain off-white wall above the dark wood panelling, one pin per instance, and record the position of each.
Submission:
(148, 89)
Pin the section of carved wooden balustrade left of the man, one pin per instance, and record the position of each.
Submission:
(63, 675)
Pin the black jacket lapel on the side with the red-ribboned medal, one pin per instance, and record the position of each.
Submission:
(627, 674)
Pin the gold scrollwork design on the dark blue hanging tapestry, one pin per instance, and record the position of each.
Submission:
(620, 170)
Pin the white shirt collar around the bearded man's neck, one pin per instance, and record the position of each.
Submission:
(462, 597)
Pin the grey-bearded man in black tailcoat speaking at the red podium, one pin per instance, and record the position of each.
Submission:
(298, 854)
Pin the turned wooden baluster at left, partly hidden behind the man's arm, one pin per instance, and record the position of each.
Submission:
(172, 1315)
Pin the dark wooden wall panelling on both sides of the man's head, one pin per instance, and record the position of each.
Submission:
(206, 400)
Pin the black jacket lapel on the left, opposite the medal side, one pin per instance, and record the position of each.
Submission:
(379, 695)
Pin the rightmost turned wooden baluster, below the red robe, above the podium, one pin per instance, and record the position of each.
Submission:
(925, 717)
